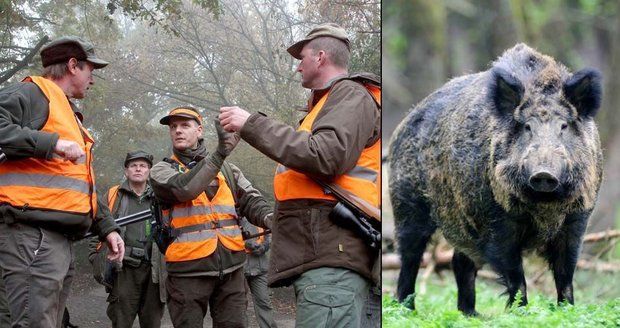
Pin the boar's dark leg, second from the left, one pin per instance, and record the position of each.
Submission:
(465, 273)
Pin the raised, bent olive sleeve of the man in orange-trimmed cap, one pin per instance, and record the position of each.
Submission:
(172, 186)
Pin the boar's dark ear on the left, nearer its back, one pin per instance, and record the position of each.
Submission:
(505, 91)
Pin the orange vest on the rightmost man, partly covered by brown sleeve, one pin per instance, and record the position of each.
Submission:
(364, 180)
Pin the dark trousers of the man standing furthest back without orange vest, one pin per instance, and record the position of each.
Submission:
(135, 294)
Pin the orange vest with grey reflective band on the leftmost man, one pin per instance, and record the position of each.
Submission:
(54, 184)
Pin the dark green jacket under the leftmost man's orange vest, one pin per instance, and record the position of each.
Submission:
(23, 112)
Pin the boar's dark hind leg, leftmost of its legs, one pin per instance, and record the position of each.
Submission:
(414, 228)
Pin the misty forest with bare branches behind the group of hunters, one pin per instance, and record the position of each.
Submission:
(202, 53)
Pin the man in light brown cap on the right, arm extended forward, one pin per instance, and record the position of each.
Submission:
(339, 142)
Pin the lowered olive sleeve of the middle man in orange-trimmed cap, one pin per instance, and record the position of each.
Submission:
(251, 203)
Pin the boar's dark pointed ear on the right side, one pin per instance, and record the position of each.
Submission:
(584, 91)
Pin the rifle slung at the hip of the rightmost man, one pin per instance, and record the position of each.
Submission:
(355, 214)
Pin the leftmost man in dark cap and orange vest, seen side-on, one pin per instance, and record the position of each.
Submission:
(47, 188)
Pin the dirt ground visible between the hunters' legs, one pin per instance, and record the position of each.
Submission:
(87, 306)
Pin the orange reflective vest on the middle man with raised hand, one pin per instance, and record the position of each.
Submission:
(201, 223)
